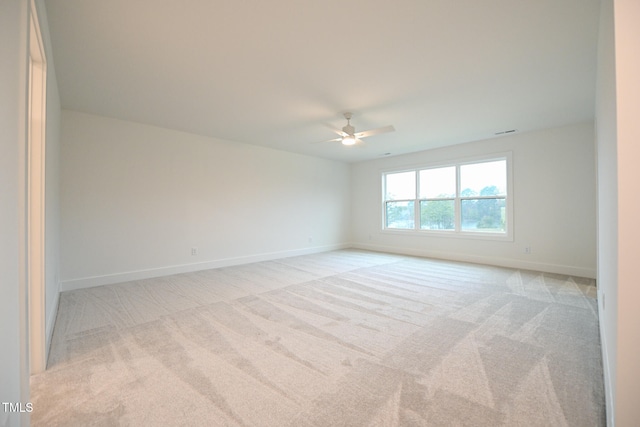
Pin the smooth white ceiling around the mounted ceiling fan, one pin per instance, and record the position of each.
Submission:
(275, 73)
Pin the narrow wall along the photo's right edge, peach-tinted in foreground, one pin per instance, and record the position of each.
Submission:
(618, 133)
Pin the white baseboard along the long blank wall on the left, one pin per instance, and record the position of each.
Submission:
(108, 279)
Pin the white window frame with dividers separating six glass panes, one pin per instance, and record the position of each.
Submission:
(457, 231)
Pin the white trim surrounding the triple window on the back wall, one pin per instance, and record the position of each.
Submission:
(480, 235)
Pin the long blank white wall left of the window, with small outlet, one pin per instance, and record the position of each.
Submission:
(135, 199)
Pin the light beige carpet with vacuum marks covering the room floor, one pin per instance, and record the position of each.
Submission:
(344, 338)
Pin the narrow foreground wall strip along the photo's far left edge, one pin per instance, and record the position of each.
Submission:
(14, 385)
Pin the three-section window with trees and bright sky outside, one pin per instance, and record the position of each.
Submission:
(469, 198)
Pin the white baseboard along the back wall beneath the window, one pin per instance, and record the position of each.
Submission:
(482, 259)
